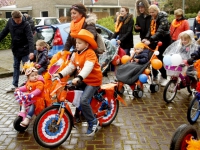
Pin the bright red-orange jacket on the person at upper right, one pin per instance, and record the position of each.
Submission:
(174, 32)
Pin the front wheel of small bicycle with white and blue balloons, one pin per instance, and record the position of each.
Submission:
(170, 91)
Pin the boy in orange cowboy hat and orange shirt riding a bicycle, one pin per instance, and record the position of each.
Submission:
(89, 71)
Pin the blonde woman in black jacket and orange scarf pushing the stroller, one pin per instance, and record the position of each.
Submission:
(159, 31)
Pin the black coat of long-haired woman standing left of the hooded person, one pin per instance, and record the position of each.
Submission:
(126, 32)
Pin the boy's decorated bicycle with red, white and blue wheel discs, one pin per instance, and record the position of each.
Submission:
(54, 124)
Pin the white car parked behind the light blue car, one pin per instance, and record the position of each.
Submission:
(45, 21)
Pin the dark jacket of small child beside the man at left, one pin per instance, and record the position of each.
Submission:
(41, 58)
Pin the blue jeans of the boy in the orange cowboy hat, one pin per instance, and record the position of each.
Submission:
(84, 102)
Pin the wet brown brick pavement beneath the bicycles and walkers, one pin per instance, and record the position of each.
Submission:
(145, 124)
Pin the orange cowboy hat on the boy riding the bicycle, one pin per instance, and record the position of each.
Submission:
(86, 36)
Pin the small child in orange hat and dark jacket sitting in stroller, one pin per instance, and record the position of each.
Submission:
(140, 53)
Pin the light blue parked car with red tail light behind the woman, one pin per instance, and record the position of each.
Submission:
(56, 35)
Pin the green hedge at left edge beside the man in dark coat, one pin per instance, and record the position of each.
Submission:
(6, 42)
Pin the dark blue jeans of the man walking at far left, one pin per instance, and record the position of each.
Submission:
(16, 67)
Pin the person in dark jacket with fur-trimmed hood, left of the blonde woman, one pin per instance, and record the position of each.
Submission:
(143, 19)
